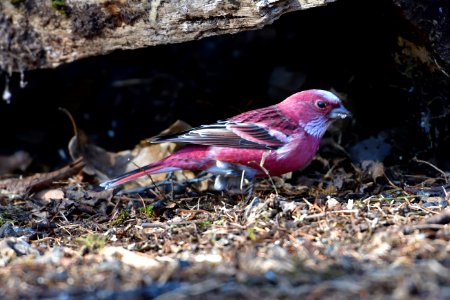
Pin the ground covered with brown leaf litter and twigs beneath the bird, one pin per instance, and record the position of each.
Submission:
(341, 228)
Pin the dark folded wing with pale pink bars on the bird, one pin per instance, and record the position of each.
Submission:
(229, 134)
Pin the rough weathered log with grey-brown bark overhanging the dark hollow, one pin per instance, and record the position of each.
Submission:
(46, 33)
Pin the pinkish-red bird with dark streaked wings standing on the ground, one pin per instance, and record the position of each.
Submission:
(268, 141)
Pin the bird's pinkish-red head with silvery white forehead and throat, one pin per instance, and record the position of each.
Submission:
(314, 110)
